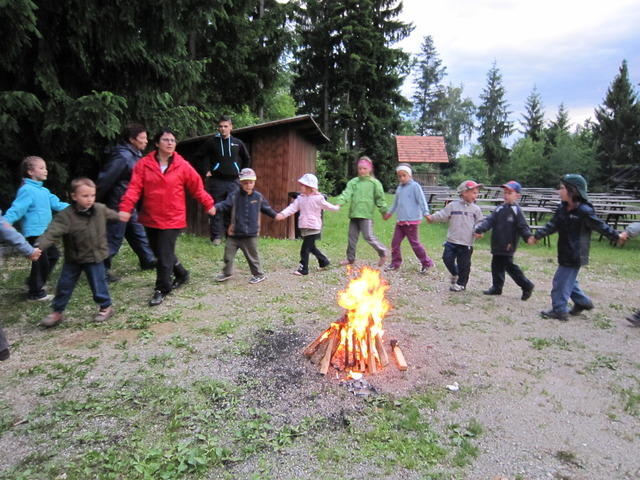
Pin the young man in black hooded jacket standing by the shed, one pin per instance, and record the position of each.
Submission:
(222, 156)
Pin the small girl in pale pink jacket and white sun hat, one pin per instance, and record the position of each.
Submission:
(310, 203)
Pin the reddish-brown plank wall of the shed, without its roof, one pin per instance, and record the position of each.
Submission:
(279, 157)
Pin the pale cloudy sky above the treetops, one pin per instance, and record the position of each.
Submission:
(570, 50)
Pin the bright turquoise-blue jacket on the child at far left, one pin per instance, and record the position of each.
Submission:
(33, 206)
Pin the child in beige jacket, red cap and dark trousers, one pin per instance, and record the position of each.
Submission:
(462, 215)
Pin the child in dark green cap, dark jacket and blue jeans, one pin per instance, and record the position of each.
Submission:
(574, 220)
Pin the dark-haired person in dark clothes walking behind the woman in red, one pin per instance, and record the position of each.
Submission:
(113, 181)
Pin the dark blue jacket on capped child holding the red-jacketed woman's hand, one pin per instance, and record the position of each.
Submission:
(245, 212)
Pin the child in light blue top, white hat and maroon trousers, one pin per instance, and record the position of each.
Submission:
(410, 207)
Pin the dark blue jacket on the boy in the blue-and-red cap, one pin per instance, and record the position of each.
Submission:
(507, 222)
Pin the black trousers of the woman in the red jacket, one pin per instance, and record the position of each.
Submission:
(163, 244)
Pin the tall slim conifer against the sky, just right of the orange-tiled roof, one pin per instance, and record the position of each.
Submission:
(494, 120)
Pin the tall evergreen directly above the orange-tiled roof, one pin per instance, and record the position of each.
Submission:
(429, 99)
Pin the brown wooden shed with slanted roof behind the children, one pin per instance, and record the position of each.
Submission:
(281, 152)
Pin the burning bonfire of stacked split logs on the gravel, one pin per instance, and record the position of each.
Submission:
(355, 341)
